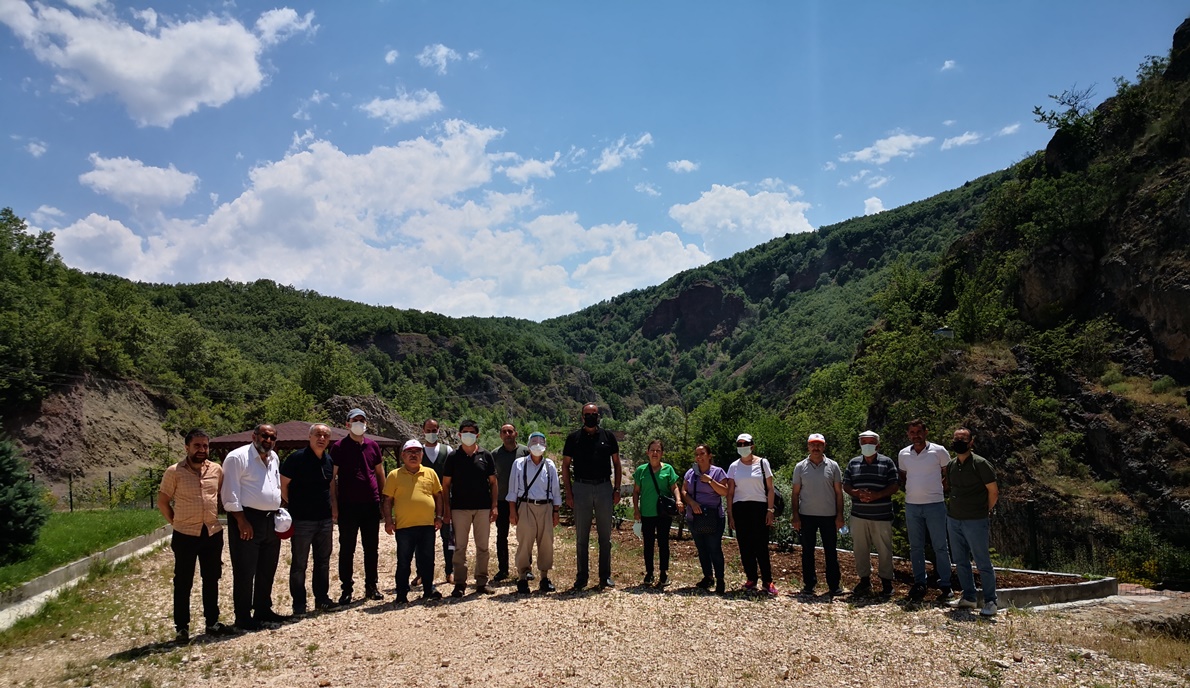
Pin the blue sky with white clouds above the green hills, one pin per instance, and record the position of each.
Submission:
(529, 159)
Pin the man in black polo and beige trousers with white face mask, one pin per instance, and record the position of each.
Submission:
(469, 480)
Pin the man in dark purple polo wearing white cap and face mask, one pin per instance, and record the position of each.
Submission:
(355, 504)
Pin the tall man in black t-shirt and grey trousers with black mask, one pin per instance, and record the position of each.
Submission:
(591, 474)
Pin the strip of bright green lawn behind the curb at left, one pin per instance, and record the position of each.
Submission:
(68, 537)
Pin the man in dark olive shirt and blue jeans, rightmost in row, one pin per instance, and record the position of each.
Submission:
(973, 496)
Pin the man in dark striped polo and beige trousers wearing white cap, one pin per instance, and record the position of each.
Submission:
(872, 481)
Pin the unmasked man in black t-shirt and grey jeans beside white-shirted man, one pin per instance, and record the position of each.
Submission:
(306, 487)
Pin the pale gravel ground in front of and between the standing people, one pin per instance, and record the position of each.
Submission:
(118, 628)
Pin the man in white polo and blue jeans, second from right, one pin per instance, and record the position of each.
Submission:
(923, 466)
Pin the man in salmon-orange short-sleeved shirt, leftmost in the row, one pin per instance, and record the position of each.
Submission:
(193, 487)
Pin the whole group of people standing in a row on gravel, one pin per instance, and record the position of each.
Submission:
(459, 493)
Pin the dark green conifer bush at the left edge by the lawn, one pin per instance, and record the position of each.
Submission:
(23, 509)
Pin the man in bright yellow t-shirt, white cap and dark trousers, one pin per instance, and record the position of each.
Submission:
(414, 511)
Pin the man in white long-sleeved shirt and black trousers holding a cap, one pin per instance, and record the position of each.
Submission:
(252, 496)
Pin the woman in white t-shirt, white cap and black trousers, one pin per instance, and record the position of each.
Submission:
(750, 512)
